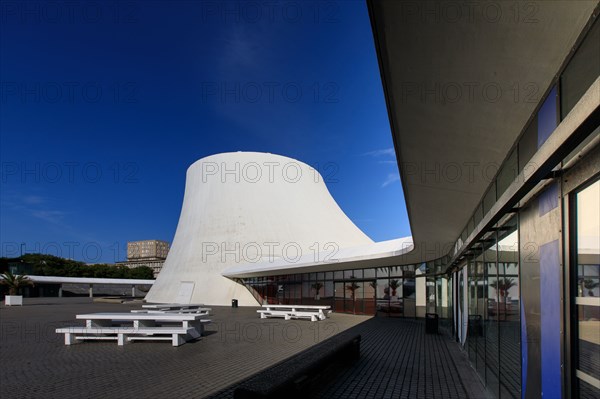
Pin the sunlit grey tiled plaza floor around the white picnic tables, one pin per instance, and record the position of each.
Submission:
(35, 363)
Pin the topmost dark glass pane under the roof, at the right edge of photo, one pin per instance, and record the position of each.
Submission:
(581, 71)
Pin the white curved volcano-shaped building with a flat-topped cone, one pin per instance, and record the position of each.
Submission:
(248, 208)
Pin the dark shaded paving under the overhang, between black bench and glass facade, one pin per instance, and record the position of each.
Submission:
(398, 360)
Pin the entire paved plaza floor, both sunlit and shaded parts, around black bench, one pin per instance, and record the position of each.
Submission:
(397, 358)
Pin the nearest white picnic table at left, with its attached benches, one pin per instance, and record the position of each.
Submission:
(124, 327)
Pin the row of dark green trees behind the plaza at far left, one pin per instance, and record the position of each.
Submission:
(49, 265)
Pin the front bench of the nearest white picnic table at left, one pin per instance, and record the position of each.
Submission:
(177, 335)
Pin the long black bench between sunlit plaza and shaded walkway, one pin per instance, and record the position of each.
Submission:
(292, 377)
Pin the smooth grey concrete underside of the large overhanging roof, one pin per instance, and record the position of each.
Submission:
(461, 80)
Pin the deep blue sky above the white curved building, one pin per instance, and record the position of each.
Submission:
(104, 105)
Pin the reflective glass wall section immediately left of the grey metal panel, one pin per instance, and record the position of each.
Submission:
(493, 296)
